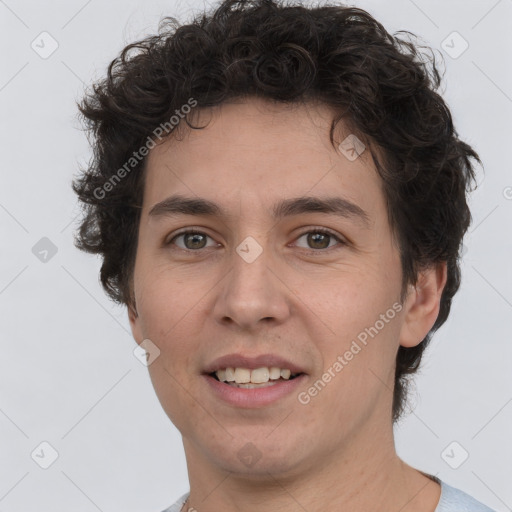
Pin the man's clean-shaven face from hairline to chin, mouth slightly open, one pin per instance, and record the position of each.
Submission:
(290, 287)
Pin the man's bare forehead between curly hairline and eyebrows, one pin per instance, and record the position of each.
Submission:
(253, 153)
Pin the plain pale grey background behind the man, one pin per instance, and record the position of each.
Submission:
(68, 375)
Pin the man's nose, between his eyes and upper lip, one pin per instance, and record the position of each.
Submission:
(252, 293)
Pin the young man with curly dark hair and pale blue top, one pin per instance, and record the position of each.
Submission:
(279, 197)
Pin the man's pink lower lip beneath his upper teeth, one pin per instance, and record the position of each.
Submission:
(255, 397)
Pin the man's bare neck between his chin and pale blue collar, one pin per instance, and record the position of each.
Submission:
(364, 474)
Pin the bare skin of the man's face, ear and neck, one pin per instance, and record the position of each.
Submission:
(337, 452)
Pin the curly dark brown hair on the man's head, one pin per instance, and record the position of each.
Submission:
(383, 85)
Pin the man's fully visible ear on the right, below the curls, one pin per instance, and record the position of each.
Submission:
(422, 305)
